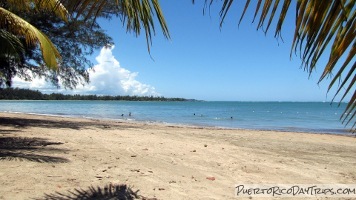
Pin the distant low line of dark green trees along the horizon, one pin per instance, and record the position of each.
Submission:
(27, 94)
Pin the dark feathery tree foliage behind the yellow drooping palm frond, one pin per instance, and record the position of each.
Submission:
(75, 40)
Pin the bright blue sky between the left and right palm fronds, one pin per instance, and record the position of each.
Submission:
(202, 61)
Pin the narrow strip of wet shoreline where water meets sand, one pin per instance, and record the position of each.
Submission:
(343, 132)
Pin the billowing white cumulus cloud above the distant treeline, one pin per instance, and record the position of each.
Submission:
(106, 78)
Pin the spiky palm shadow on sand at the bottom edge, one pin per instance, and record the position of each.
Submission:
(112, 192)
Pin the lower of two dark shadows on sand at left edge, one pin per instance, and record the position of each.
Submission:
(30, 149)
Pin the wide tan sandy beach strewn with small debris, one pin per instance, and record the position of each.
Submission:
(44, 157)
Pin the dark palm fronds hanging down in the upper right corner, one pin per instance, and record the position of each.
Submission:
(319, 25)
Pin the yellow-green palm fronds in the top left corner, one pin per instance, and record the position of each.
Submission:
(16, 34)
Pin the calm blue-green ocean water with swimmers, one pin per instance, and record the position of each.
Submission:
(316, 117)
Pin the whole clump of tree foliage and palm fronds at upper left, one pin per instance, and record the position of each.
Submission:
(66, 32)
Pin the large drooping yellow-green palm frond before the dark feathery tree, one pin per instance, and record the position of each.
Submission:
(17, 26)
